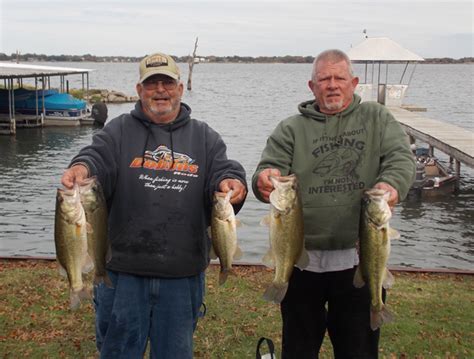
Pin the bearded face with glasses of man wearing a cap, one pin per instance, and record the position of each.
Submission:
(160, 96)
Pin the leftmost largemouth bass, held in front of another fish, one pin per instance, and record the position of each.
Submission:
(70, 238)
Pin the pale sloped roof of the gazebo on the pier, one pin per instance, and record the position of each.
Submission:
(381, 49)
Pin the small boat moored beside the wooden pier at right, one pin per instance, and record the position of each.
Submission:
(432, 177)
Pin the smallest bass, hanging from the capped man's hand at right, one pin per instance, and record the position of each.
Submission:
(224, 234)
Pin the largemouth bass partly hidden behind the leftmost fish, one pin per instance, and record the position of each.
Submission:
(95, 208)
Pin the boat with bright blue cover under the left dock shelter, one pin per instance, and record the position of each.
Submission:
(52, 107)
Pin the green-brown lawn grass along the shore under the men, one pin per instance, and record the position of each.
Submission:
(434, 316)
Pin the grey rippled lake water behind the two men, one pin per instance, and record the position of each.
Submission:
(243, 102)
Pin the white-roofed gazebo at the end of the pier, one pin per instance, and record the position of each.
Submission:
(375, 53)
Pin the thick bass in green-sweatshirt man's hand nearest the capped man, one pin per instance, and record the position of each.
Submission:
(286, 235)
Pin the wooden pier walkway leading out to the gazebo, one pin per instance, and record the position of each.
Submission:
(455, 141)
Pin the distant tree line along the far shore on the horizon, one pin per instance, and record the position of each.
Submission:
(28, 57)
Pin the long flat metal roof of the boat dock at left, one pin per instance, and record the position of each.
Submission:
(12, 70)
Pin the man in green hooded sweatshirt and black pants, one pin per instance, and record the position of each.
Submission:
(337, 147)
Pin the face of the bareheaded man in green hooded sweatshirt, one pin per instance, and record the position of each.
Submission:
(333, 86)
